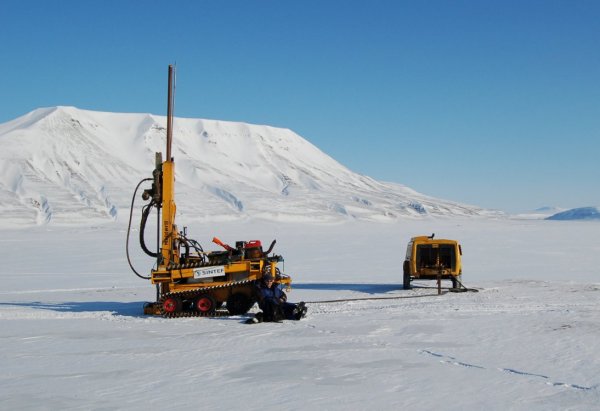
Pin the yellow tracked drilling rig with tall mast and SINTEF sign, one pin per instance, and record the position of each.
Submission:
(188, 280)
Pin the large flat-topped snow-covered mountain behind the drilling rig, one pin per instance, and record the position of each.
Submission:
(70, 166)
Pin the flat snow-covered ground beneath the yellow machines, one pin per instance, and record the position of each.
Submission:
(73, 335)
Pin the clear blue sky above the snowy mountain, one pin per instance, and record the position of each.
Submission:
(492, 103)
